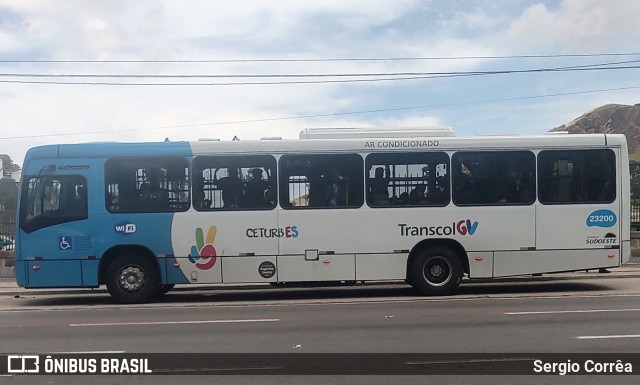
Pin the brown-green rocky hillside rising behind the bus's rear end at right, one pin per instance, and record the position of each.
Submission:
(610, 119)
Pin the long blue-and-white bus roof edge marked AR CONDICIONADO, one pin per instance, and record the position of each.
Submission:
(91, 150)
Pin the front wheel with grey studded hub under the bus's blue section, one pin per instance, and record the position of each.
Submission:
(132, 279)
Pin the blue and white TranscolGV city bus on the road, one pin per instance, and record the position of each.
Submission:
(331, 206)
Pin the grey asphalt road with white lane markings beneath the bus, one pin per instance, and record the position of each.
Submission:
(586, 316)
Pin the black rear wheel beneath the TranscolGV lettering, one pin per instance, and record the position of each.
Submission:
(436, 271)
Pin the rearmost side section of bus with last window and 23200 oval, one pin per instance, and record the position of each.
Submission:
(578, 208)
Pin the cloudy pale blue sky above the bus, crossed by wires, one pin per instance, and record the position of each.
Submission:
(179, 69)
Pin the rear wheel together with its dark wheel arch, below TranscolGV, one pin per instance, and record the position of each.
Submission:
(436, 266)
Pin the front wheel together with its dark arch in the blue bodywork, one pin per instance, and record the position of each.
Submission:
(131, 273)
